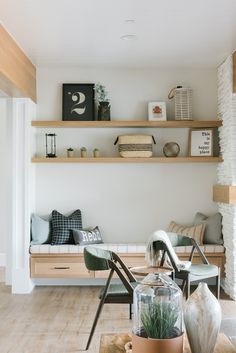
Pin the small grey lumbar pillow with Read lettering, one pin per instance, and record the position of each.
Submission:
(87, 236)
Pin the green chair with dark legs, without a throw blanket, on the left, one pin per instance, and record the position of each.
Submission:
(97, 259)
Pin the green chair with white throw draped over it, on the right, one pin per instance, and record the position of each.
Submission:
(196, 272)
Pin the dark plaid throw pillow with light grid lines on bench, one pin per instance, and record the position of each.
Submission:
(62, 227)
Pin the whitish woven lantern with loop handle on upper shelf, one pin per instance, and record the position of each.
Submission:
(183, 102)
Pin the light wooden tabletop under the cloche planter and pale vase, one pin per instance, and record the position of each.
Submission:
(114, 343)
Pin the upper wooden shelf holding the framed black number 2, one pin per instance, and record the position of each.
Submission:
(128, 123)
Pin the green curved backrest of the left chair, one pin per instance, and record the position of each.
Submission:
(96, 259)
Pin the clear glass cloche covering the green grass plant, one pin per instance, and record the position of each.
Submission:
(157, 308)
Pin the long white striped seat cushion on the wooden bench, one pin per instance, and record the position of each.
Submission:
(130, 248)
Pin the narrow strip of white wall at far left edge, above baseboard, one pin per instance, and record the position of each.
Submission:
(3, 181)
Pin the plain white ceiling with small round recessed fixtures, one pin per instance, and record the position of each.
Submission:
(169, 33)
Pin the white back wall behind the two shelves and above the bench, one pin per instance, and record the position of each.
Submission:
(127, 201)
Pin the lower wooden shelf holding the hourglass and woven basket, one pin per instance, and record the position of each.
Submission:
(128, 160)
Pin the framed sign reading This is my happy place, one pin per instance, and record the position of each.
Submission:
(201, 142)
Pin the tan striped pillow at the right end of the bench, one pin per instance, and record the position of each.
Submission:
(196, 232)
